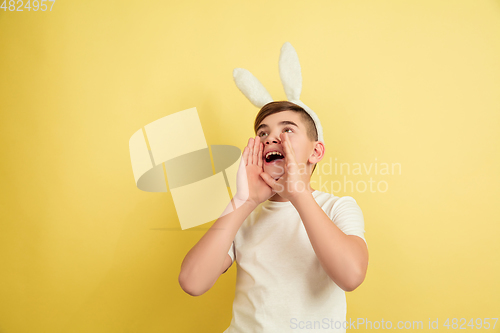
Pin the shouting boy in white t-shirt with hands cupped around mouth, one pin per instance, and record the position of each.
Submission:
(297, 249)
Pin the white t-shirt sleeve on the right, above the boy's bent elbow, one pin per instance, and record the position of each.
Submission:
(347, 215)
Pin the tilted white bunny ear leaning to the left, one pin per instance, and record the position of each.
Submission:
(251, 87)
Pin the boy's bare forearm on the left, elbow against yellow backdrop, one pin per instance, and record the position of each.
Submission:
(202, 265)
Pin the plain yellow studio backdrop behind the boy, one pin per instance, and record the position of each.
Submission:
(409, 90)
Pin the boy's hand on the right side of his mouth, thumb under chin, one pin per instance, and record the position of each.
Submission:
(294, 182)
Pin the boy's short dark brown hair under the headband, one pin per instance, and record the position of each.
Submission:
(279, 106)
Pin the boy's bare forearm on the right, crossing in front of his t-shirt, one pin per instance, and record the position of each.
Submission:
(344, 258)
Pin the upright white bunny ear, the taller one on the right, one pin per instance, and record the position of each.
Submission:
(290, 73)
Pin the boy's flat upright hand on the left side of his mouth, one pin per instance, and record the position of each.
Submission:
(250, 186)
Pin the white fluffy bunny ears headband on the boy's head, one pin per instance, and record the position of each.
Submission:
(291, 78)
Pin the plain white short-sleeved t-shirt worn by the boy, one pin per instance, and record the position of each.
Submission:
(280, 284)
